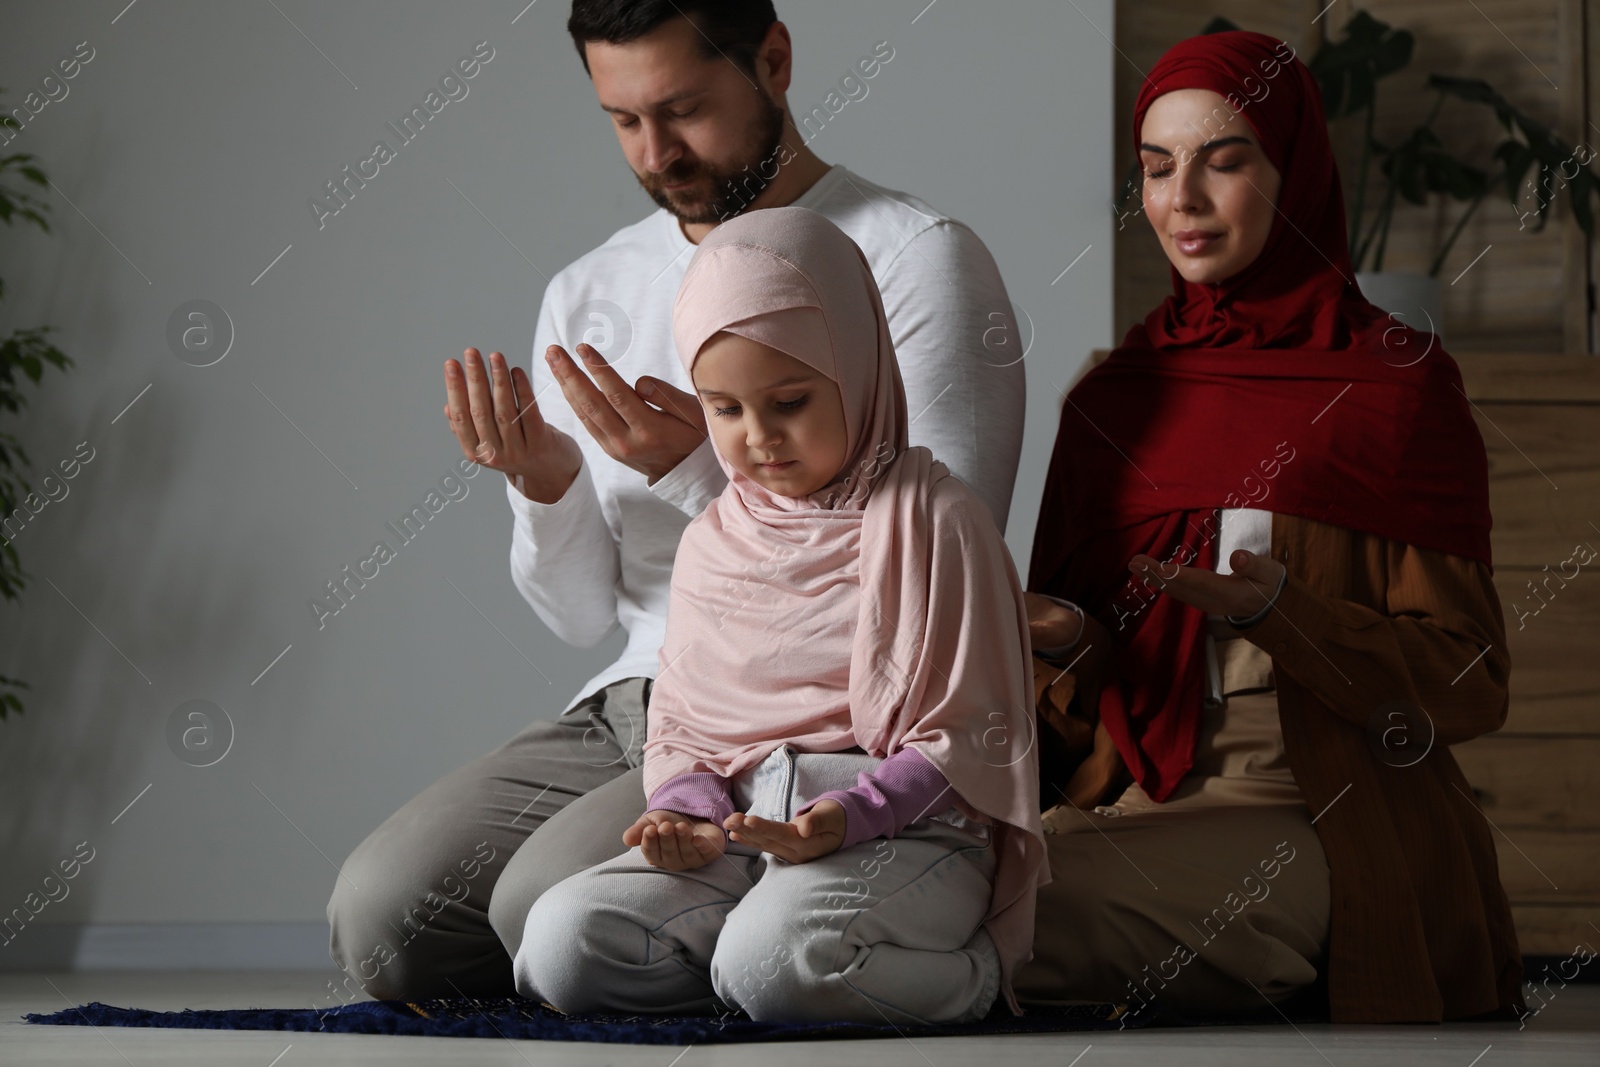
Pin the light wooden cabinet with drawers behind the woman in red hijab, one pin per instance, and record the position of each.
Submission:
(1538, 780)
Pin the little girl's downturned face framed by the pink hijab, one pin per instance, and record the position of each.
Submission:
(778, 422)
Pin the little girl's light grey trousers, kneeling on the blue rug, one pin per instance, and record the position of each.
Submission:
(882, 932)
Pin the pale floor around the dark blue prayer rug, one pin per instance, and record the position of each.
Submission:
(1566, 1033)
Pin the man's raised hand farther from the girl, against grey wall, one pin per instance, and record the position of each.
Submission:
(495, 418)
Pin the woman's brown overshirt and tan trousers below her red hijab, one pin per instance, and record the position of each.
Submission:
(1326, 826)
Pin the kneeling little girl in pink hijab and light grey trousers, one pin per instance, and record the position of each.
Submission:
(841, 770)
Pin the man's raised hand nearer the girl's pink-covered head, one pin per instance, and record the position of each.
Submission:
(650, 428)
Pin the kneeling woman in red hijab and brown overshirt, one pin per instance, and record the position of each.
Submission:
(1268, 511)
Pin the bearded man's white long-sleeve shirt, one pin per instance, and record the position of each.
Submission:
(602, 556)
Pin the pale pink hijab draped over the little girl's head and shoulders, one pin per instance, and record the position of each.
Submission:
(894, 577)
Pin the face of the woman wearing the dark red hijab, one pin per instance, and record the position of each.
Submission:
(1210, 190)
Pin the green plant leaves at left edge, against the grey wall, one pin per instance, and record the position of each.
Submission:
(23, 353)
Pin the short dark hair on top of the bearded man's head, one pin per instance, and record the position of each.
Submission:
(727, 28)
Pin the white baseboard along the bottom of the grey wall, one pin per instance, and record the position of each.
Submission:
(167, 948)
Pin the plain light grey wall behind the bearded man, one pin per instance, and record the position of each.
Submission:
(182, 561)
